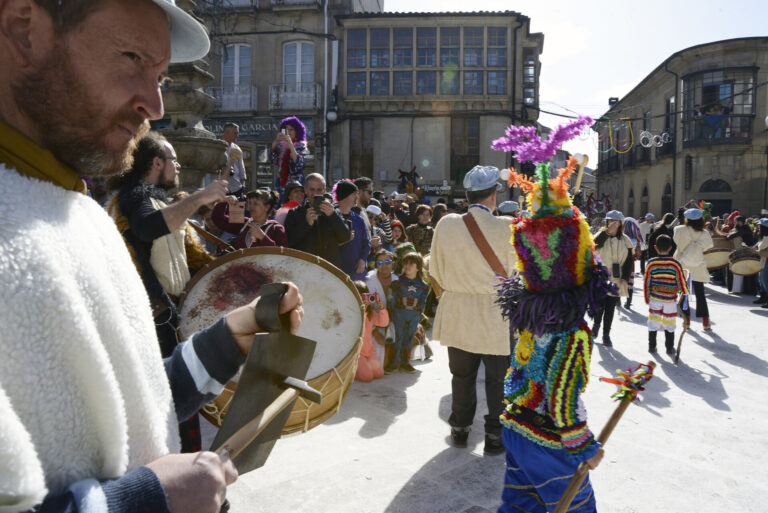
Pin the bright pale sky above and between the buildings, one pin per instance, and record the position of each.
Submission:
(594, 50)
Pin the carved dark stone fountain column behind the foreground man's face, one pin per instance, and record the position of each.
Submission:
(197, 149)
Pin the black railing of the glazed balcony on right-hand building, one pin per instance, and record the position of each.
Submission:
(718, 129)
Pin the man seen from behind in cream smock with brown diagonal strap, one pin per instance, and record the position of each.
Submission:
(468, 320)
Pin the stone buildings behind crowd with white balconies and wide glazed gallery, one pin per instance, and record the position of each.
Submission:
(378, 91)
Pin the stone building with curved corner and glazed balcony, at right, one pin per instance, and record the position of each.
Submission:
(704, 110)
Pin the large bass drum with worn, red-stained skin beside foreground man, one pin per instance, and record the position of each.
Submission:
(333, 316)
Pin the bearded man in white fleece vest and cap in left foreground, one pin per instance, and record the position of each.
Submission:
(89, 409)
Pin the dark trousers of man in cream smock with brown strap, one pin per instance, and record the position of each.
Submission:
(464, 366)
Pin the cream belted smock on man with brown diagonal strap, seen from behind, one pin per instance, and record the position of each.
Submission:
(467, 317)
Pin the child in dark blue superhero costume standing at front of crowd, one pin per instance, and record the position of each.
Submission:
(408, 297)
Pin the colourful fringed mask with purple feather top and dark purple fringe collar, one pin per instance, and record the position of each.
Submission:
(560, 277)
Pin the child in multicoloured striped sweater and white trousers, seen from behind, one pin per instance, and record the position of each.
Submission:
(664, 280)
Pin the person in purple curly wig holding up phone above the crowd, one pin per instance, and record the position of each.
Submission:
(288, 150)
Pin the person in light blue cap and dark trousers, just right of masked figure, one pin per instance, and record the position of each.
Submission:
(615, 249)
